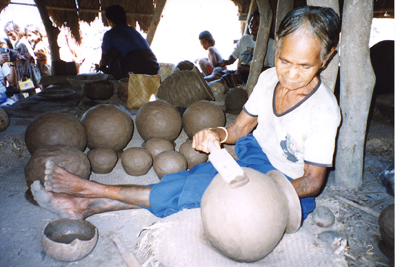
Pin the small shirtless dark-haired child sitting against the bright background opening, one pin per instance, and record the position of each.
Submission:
(207, 65)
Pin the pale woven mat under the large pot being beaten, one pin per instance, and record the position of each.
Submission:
(178, 240)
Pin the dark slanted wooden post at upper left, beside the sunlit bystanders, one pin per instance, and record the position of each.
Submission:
(52, 32)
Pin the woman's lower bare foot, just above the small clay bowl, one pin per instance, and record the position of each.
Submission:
(62, 204)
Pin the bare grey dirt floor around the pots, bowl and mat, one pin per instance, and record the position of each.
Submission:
(22, 223)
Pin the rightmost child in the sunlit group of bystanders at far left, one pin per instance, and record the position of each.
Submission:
(35, 38)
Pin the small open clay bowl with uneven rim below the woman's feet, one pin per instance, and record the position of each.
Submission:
(68, 239)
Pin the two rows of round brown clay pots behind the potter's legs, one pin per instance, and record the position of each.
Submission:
(106, 130)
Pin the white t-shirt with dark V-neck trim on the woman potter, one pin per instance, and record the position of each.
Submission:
(304, 134)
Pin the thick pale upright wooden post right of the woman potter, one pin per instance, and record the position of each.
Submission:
(357, 80)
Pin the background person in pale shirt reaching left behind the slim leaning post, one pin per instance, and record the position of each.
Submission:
(243, 52)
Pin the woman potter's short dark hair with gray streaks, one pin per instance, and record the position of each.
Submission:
(322, 22)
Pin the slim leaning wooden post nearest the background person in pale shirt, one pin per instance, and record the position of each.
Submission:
(261, 44)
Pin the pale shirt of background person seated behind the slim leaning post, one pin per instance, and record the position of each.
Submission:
(244, 51)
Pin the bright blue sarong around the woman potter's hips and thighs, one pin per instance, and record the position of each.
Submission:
(184, 190)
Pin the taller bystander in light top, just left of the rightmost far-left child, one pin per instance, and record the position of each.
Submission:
(26, 67)
